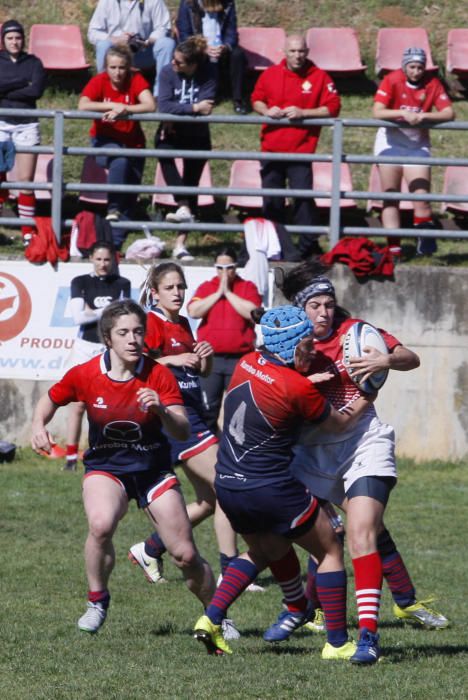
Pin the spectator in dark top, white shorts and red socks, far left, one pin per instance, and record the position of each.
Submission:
(22, 82)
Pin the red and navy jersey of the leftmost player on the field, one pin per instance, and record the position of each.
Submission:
(122, 438)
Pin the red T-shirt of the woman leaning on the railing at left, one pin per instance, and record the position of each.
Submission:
(99, 89)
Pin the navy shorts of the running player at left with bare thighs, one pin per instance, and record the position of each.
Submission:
(144, 487)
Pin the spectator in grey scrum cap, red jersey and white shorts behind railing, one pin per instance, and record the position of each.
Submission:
(407, 96)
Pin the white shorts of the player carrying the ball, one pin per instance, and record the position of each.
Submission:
(330, 470)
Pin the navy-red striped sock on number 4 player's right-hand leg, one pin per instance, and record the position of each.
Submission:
(331, 591)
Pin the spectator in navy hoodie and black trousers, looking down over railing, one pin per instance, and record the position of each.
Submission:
(188, 86)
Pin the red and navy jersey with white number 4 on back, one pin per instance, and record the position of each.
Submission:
(264, 408)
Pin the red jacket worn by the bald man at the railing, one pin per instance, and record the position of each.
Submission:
(309, 88)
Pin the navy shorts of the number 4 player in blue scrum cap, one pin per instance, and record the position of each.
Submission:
(286, 508)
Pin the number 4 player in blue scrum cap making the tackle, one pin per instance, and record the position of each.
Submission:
(265, 404)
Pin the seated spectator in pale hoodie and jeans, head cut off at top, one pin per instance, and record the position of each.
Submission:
(143, 26)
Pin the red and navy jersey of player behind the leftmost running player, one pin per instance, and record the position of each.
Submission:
(168, 338)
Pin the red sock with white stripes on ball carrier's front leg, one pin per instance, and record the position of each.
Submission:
(368, 584)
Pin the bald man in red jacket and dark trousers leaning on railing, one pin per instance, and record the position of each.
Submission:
(294, 89)
